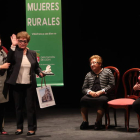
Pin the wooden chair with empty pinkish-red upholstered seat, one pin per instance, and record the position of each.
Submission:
(129, 79)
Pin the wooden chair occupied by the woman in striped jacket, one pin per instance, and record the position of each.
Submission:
(116, 74)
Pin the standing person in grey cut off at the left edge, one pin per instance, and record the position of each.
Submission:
(3, 73)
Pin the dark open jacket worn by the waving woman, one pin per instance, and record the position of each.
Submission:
(15, 58)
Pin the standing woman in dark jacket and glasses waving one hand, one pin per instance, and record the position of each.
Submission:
(22, 79)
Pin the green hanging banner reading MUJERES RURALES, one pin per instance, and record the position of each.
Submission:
(43, 23)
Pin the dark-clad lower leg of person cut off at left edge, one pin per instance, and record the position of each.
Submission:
(2, 113)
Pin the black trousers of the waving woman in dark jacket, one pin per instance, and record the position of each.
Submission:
(25, 93)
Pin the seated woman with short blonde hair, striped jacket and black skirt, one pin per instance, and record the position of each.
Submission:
(97, 84)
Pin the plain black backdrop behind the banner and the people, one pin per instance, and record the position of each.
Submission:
(111, 30)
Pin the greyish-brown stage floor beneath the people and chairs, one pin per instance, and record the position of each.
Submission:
(63, 124)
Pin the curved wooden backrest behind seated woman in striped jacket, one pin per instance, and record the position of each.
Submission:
(116, 74)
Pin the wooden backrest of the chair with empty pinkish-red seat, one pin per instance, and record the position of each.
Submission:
(129, 79)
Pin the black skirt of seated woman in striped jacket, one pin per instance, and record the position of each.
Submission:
(97, 102)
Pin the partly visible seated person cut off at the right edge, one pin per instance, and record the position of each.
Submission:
(136, 104)
